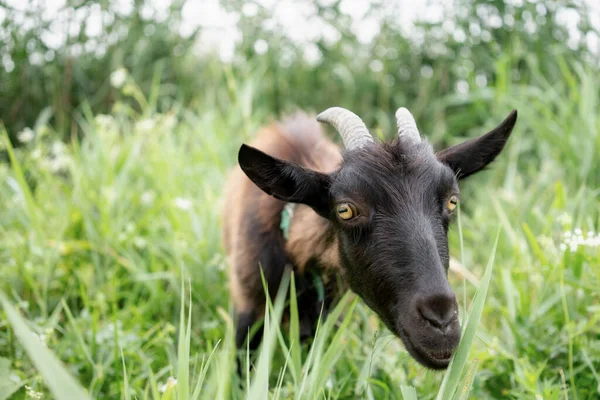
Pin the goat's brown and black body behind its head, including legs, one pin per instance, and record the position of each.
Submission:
(251, 227)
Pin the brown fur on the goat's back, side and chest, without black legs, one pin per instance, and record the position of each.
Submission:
(251, 218)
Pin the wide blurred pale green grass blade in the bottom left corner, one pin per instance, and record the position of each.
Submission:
(62, 385)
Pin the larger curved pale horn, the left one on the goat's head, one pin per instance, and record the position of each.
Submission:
(353, 130)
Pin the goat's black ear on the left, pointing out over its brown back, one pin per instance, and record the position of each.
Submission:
(285, 180)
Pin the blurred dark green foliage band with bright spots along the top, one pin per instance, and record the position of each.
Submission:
(442, 67)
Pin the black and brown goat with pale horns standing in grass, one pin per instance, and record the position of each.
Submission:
(373, 219)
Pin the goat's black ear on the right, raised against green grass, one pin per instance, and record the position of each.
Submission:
(475, 154)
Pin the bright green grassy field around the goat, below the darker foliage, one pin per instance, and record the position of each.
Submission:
(107, 243)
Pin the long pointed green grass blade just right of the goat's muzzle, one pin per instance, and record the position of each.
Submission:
(451, 379)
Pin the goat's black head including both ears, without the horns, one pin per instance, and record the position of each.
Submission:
(391, 205)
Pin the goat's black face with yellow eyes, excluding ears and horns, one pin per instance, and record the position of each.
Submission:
(391, 207)
